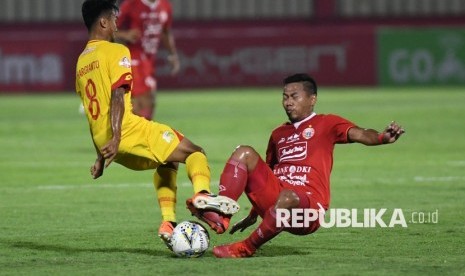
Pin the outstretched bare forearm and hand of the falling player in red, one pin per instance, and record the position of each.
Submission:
(371, 137)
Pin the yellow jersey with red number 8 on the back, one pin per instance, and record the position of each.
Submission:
(102, 67)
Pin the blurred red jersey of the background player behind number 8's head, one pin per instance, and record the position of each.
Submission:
(150, 19)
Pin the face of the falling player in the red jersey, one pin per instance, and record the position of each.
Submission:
(297, 103)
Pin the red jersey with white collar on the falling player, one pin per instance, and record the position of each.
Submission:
(301, 154)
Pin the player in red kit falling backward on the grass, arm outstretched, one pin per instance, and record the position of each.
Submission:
(296, 173)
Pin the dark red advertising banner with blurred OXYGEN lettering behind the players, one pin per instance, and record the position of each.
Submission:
(263, 55)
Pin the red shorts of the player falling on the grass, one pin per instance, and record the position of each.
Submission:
(263, 190)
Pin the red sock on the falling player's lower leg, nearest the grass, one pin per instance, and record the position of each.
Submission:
(265, 231)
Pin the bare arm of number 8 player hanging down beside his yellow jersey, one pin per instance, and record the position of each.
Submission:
(110, 149)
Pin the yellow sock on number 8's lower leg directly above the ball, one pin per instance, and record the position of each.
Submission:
(164, 180)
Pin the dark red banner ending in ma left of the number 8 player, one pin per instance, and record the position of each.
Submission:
(37, 58)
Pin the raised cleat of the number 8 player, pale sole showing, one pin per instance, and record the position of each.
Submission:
(219, 204)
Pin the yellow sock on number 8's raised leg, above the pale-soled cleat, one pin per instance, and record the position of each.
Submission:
(198, 171)
